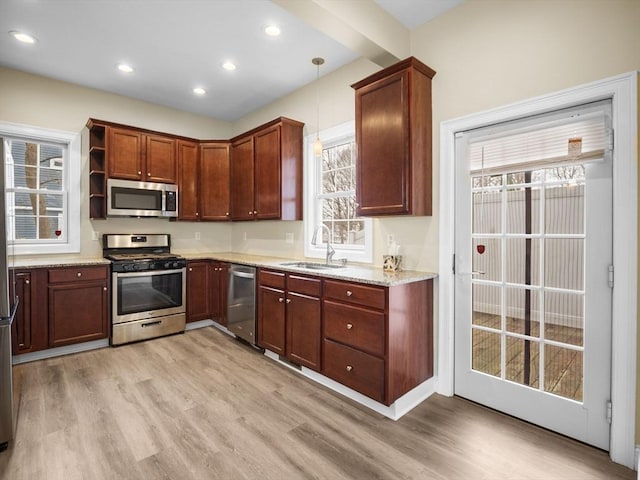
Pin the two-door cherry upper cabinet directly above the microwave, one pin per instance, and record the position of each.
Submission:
(134, 155)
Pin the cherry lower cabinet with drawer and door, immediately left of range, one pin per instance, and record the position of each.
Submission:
(78, 306)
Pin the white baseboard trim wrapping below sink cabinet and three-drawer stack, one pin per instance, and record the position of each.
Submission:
(395, 411)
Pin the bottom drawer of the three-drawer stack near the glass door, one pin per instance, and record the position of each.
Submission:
(355, 369)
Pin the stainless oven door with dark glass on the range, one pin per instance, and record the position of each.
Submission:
(149, 294)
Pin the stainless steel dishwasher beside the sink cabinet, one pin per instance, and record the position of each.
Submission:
(241, 302)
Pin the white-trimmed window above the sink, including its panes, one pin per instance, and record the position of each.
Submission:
(331, 198)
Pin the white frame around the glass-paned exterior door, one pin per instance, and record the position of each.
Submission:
(623, 89)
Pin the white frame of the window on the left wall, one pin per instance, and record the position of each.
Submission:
(71, 142)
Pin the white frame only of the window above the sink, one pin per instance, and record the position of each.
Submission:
(312, 208)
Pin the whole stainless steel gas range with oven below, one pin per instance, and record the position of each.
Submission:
(148, 287)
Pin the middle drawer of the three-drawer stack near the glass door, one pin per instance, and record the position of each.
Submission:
(355, 326)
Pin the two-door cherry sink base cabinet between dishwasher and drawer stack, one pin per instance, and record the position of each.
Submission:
(289, 317)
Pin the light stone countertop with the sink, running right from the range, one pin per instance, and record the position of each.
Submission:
(351, 272)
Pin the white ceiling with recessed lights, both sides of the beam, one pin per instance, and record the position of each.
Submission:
(177, 45)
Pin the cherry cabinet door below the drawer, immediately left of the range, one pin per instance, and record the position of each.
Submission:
(78, 312)
